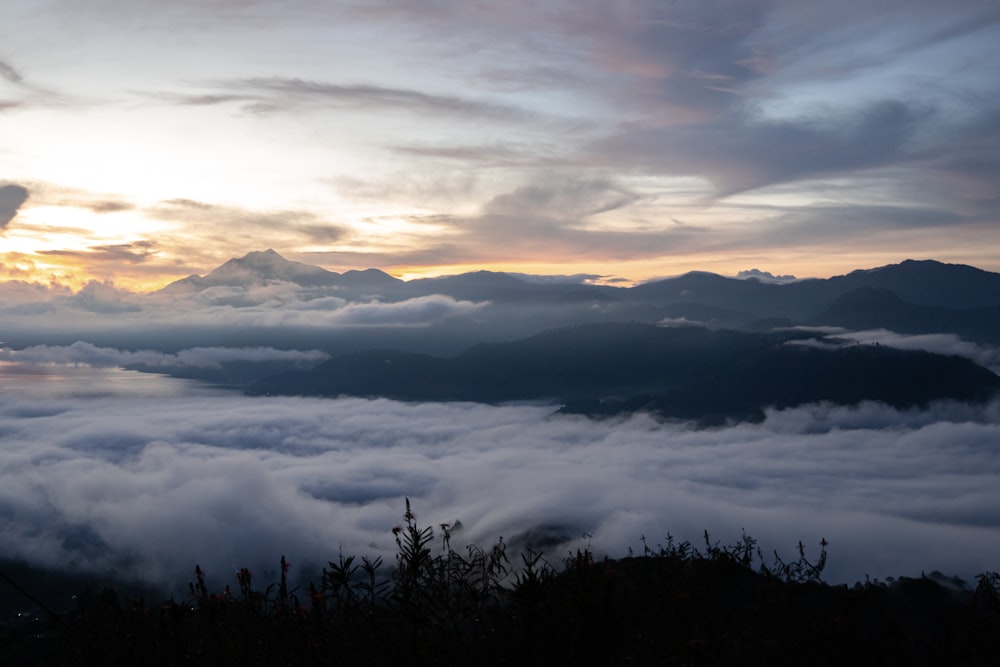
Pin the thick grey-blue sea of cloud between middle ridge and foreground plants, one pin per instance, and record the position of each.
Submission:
(151, 486)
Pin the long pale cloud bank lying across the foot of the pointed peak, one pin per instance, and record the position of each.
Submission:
(276, 313)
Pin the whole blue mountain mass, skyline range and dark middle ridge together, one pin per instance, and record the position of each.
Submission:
(699, 347)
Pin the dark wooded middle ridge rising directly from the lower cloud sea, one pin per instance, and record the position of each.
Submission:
(690, 373)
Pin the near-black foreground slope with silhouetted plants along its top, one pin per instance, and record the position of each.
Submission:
(672, 604)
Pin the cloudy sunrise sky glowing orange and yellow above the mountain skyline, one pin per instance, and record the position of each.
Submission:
(141, 142)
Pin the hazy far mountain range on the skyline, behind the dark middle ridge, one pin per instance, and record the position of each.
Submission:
(910, 297)
